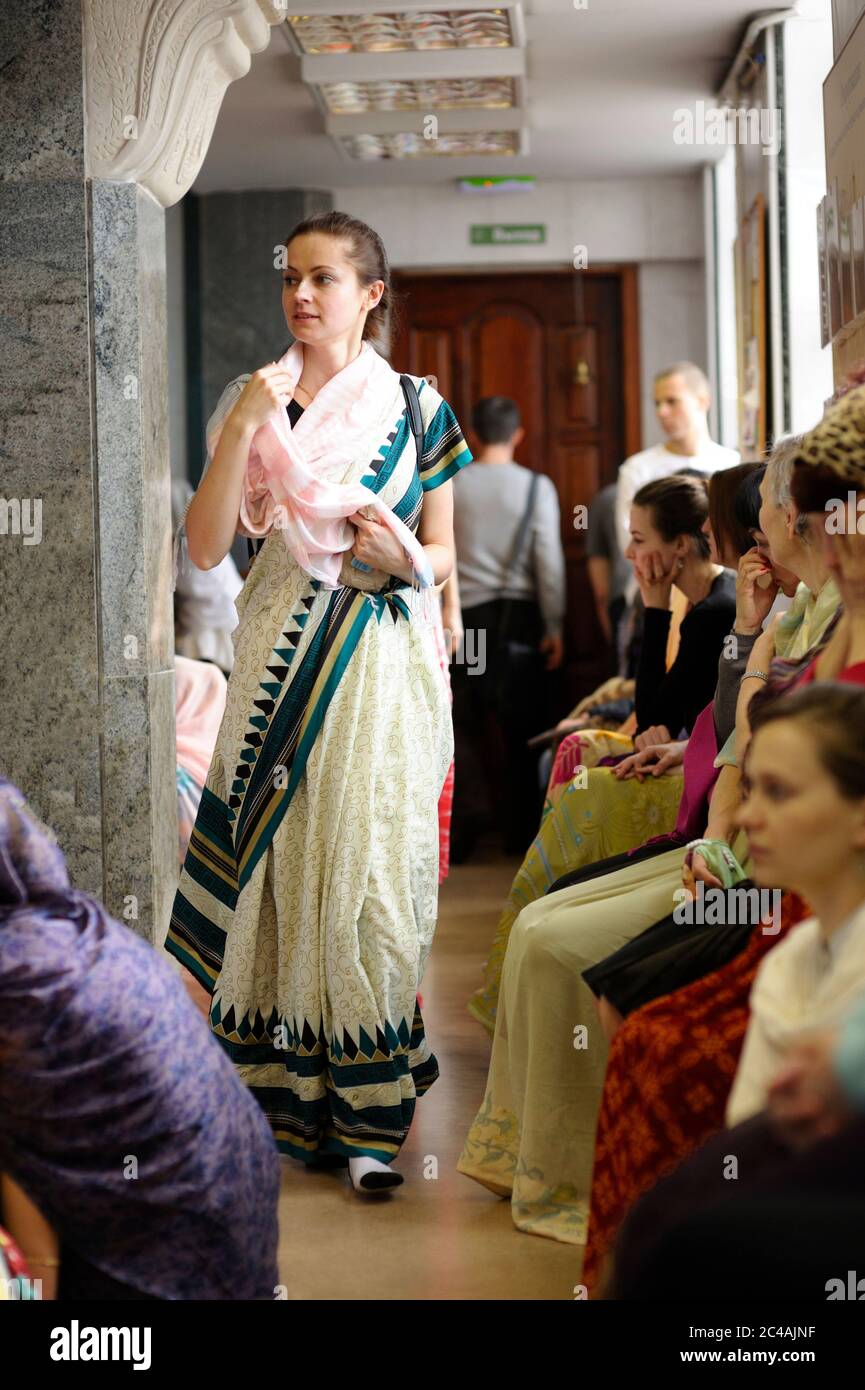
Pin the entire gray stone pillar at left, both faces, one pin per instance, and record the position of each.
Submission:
(87, 717)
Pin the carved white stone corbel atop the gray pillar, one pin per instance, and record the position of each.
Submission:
(155, 79)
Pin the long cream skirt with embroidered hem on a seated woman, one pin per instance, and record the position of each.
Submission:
(535, 1135)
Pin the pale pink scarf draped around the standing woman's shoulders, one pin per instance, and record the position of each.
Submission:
(296, 475)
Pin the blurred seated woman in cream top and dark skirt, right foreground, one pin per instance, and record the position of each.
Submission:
(800, 1079)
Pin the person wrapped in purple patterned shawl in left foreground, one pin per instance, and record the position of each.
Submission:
(122, 1120)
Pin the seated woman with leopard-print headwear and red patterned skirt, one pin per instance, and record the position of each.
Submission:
(668, 1095)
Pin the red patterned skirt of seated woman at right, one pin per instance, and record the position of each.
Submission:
(668, 1078)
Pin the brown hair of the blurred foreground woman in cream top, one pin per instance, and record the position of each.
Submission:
(836, 715)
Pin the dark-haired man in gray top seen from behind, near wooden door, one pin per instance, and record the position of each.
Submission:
(512, 611)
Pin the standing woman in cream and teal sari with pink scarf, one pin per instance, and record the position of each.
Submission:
(308, 901)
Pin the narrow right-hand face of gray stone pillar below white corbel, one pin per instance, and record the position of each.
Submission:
(134, 544)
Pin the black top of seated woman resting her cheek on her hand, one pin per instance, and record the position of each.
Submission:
(677, 697)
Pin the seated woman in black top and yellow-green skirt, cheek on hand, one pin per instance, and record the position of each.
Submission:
(595, 817)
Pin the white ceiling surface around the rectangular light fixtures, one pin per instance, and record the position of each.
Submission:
(601, 90)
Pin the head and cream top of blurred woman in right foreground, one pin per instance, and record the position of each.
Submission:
(806, 822)
